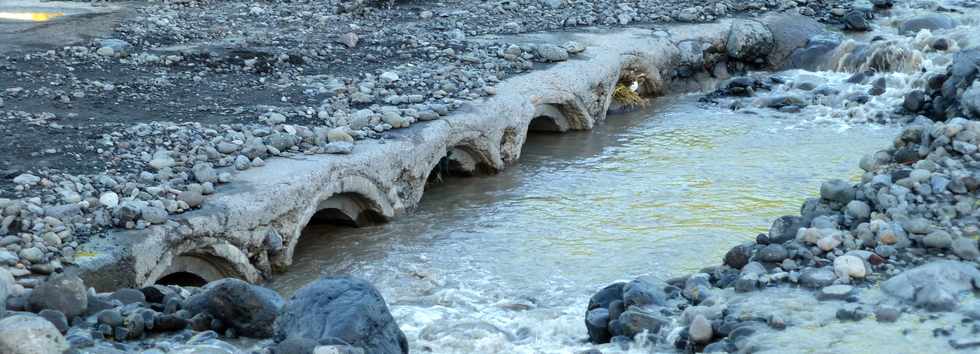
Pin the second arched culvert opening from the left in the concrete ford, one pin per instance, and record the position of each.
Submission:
(347, 209)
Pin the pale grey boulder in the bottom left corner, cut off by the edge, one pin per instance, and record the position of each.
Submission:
(30, 334)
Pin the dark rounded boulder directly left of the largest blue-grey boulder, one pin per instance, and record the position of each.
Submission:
(249, 309)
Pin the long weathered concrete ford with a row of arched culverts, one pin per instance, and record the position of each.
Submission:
(251, 226)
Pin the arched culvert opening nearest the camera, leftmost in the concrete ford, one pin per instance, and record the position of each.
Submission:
(196, 270)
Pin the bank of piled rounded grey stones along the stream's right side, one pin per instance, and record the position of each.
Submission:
(911, 224)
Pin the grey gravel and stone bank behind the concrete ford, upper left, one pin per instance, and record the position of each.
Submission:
(151, 119)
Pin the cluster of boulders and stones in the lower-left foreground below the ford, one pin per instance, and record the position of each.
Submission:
(331, 315)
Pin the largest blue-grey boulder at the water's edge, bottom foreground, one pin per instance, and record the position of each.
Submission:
(341, 310)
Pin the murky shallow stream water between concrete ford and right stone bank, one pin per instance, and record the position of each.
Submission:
(506, 263)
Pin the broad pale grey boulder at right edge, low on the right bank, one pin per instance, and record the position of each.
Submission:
(934, 286)
